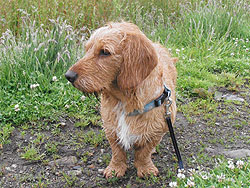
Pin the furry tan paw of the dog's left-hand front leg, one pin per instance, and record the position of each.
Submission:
(117, 171)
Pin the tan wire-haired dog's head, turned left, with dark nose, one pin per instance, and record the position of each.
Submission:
(118, 54)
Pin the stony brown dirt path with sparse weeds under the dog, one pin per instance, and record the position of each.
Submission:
(74, 159)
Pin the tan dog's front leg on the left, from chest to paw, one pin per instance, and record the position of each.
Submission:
(118, 164)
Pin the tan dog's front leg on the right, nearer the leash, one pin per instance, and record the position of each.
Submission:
(143, 161)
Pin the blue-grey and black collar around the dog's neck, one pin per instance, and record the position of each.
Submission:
(153, 104)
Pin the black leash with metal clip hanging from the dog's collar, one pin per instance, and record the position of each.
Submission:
(171, 130)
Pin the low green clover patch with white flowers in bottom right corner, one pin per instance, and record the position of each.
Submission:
(226, 173)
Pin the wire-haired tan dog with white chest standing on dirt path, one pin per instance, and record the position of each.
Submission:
(129, 71)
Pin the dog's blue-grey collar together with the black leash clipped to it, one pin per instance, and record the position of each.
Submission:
(156, 103)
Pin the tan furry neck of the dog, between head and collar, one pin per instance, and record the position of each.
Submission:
(148, 90)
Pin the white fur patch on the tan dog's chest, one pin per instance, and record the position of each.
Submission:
(126, 139)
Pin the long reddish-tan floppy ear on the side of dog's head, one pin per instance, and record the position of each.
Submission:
(139, 59)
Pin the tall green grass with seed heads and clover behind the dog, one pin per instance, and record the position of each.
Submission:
(41, 39)
